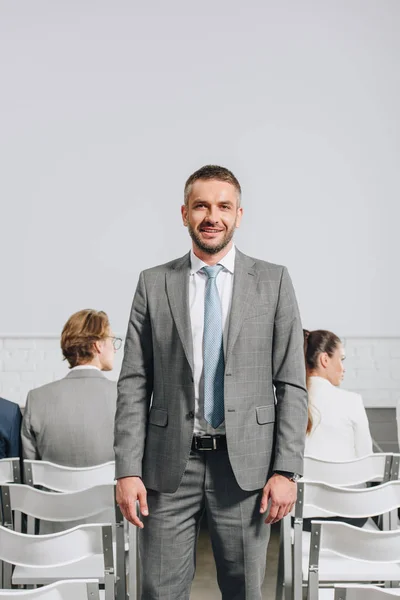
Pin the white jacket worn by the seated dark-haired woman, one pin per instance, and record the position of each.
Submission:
(340, 430)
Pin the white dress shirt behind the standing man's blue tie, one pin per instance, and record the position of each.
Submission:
(197, 288)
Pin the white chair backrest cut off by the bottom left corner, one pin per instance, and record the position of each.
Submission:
(73, 589)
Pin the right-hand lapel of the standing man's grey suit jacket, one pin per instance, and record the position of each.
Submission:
(244, 289)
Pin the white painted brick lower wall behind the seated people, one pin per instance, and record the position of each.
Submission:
(372, 367)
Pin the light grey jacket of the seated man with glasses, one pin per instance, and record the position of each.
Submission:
(70, 421)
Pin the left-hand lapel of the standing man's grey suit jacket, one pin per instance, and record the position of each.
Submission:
(178, 295)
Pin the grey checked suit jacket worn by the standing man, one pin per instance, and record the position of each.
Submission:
(264, 350)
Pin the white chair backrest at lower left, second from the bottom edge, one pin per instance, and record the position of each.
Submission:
(57, 549)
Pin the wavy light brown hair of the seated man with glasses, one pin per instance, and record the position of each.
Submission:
(80, 332)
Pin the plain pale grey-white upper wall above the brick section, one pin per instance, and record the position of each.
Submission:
(107, 107)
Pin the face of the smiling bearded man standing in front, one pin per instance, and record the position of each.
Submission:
(212, 214)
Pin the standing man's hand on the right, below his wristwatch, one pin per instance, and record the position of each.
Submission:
(282, 492)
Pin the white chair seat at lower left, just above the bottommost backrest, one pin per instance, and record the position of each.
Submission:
(90, 568)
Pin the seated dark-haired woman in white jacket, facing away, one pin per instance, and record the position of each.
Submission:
(339, 429)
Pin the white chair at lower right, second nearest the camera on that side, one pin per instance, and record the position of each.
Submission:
(343, 553)
